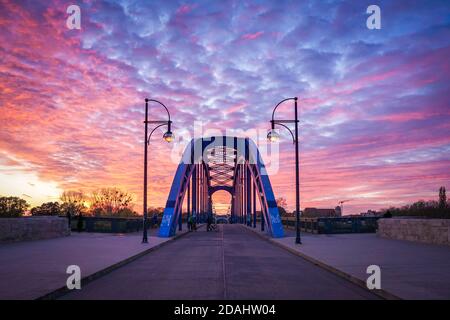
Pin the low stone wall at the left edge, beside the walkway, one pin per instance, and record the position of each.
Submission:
(32, 228)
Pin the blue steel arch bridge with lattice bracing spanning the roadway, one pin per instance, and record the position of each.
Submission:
(231, 164)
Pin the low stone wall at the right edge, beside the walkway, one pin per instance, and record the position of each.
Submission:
(434, 231)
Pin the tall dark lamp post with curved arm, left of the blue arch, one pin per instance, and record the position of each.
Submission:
(168, 136)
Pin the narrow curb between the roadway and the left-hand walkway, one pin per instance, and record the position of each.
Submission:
(98, 274)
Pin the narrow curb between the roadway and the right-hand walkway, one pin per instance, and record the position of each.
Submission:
(379, 292)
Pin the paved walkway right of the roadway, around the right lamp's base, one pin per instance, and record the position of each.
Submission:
(409, 270)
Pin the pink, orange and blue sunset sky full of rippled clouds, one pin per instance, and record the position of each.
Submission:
(373, 104)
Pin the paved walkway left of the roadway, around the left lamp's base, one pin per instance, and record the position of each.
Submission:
(31, 269)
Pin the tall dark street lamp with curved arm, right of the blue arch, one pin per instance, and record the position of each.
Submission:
(273, 136)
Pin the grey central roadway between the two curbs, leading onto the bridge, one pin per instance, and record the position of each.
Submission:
(232, 263)
